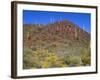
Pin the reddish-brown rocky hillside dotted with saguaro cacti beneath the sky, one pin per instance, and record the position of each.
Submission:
(63, 38)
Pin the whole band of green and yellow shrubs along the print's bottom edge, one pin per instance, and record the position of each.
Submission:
(42, 58)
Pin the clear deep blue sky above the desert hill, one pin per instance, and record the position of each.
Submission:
(45, 17)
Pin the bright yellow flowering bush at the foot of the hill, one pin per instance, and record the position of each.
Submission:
(47, 59)
